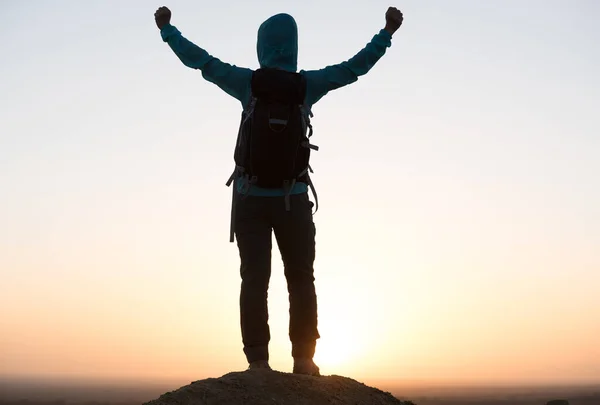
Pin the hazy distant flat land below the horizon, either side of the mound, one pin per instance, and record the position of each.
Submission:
(23, 392)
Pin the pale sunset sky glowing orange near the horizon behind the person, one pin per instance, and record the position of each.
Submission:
(458, 234)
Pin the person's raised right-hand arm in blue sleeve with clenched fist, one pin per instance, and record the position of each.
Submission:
(322, 81)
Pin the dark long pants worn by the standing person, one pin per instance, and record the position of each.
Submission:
(255, 219)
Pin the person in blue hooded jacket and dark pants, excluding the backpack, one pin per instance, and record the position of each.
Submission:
(260, 211)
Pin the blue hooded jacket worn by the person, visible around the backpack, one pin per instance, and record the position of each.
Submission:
(277, 47)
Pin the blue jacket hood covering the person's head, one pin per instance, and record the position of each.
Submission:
(277, 43)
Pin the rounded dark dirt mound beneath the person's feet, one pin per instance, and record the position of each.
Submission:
(260, 387)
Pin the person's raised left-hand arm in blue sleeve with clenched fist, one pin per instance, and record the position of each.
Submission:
(234, 80)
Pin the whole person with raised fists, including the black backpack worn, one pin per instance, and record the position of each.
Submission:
(271, 177)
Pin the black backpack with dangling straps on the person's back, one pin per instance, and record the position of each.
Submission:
(273, 147)
